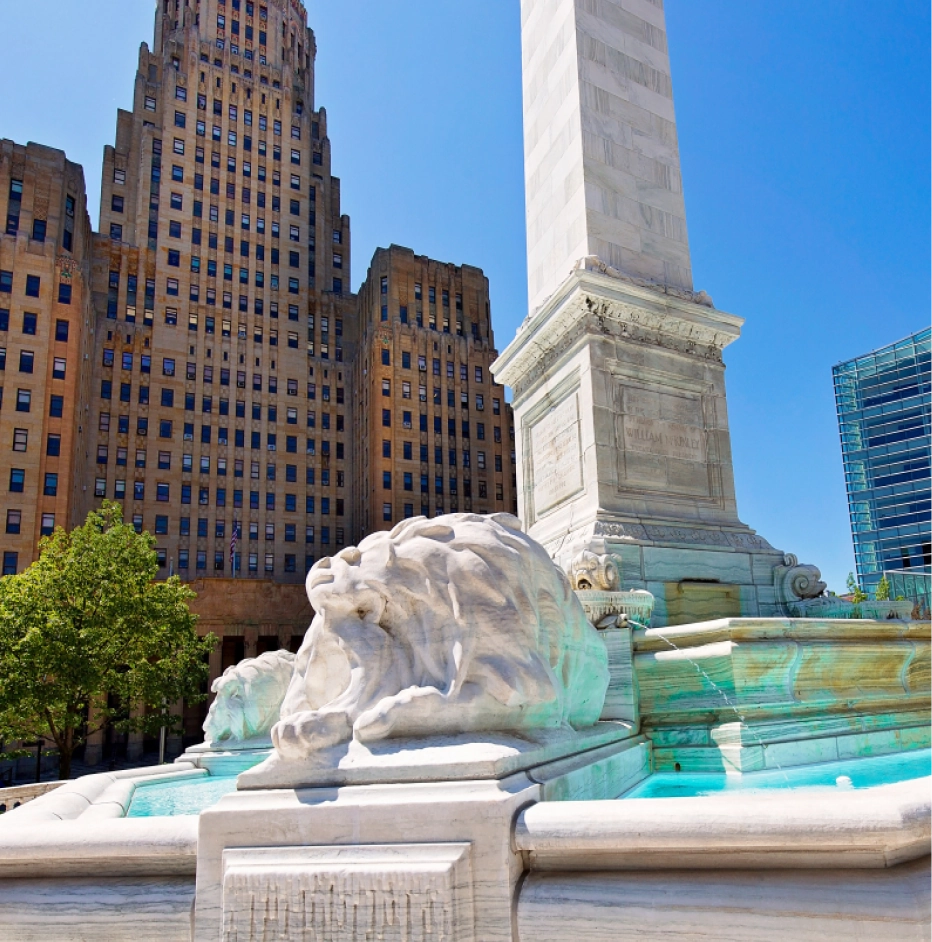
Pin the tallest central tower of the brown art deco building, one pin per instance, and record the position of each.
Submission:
(221, 282)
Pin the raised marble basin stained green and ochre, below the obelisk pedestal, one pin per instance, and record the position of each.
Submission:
(749, 694)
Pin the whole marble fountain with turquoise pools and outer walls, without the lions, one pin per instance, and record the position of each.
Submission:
(803, 809)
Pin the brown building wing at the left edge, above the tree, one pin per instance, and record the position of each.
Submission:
(46, 325)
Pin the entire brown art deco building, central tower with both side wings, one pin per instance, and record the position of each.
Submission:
(202, 360)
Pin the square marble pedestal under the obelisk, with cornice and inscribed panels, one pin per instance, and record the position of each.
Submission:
(623, 443)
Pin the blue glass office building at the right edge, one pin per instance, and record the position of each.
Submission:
(884, 404)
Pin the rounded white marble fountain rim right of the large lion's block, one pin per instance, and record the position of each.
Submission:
(872, 828)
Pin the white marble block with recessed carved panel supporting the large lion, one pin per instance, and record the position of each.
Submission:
(396, 860)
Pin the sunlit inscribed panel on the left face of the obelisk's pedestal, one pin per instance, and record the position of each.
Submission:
(556, 458)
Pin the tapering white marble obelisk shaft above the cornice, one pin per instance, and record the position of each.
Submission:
(602, 164)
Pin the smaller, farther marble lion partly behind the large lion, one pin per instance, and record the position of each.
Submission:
(248, 698)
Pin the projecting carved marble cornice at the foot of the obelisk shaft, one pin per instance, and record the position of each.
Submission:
(594, 302)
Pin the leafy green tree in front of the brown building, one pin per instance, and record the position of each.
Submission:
(88, 637)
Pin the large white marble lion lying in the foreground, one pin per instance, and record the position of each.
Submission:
(457, 624)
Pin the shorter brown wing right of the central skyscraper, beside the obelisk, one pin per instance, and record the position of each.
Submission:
(436, 435)
